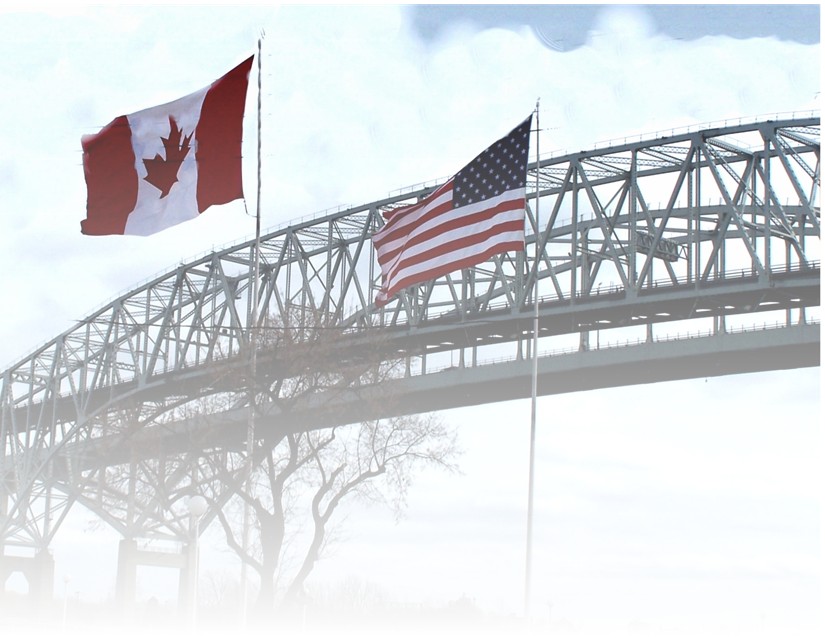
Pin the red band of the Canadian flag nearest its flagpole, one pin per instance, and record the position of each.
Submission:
(219, 134)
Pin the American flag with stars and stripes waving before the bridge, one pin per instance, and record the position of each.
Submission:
(476, 214)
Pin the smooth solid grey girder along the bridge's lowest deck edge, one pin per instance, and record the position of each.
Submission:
(722, 354)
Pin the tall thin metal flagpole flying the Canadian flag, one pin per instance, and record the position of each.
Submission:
(253, 344)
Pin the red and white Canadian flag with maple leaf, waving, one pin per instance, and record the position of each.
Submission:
(167, 164)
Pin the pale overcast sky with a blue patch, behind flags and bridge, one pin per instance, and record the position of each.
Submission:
(698, 514)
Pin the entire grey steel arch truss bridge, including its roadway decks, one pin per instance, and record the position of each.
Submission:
(705, 232)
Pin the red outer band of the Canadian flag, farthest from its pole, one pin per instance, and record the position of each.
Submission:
(111, 179)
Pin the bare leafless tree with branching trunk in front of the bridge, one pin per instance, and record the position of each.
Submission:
(301, 477)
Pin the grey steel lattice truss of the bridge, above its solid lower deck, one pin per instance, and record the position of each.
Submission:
(738, 206)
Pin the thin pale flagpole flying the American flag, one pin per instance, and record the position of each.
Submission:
(530, 489)
